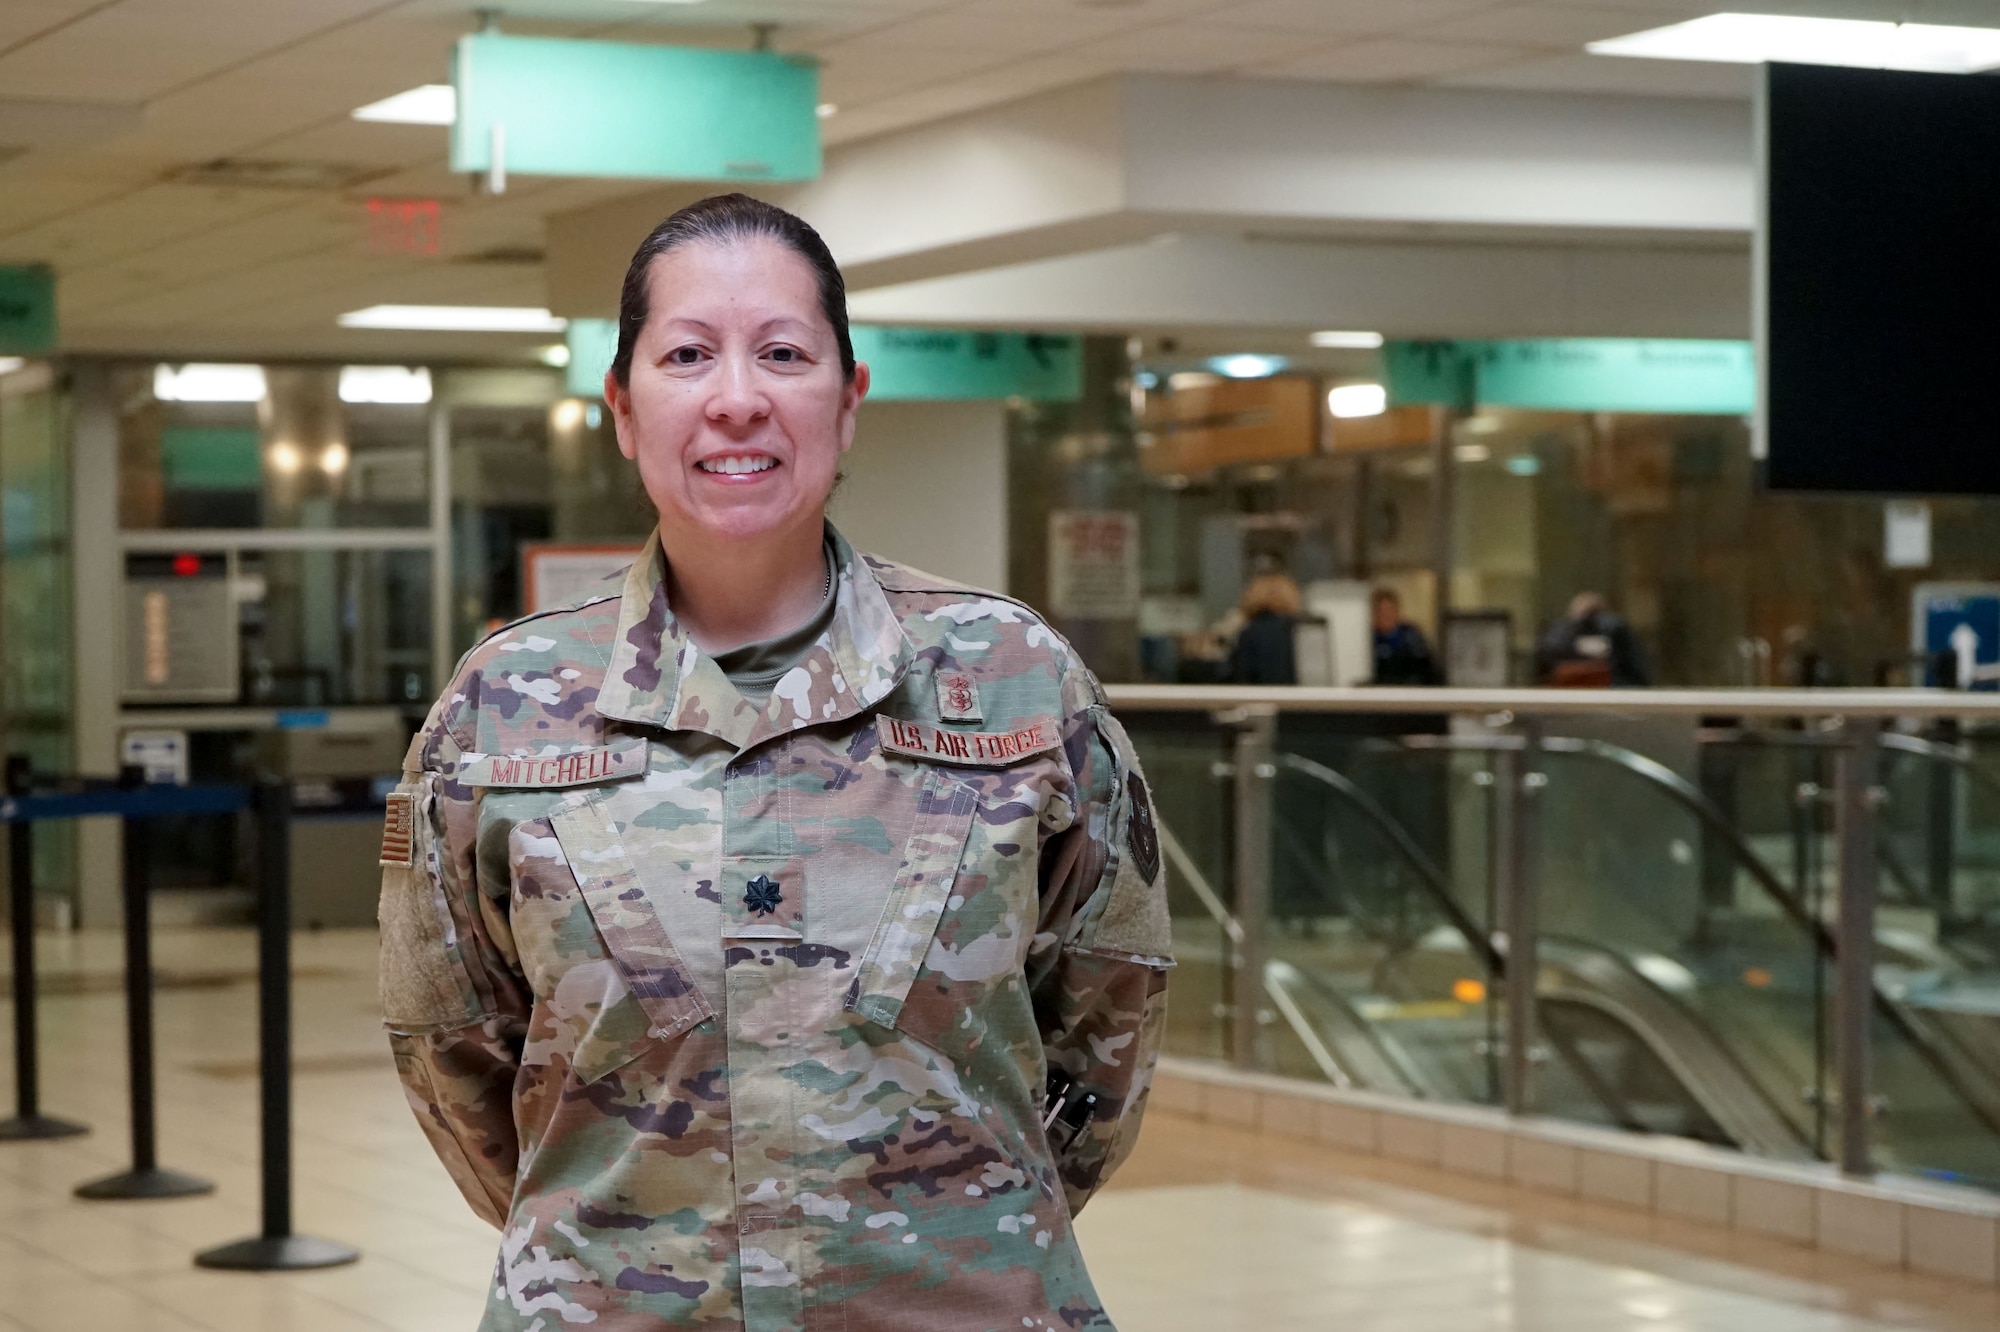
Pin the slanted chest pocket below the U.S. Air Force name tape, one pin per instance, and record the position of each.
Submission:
(959, 921)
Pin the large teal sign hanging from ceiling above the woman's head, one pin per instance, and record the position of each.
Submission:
(551, 107)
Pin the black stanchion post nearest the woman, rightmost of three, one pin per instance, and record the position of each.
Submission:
(277, 1249)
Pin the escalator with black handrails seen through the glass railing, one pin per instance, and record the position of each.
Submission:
(1657, 1017)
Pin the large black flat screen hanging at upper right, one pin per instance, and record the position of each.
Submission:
(1881, 267)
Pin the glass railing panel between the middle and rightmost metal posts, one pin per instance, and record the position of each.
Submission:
(1683, 979)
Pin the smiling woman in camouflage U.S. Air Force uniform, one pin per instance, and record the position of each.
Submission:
(775, 939)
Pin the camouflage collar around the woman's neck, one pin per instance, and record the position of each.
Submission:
(657, 675)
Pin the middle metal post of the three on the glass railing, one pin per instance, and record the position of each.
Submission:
(1519, 895)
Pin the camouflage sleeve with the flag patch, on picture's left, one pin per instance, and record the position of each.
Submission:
(453, 995)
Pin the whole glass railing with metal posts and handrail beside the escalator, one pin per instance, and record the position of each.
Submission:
(1355, 889)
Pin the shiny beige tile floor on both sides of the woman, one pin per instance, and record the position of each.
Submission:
(1209, 1229)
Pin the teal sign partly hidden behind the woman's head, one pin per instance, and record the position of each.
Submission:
(905, 365)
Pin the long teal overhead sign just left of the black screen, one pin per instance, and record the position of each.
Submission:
(1577, 375)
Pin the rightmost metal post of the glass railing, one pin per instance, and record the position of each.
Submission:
(1857, 809)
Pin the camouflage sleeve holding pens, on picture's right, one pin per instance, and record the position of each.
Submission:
(1101, 995)
